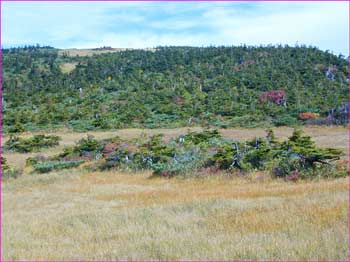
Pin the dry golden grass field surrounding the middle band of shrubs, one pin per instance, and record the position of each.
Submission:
(79, 214)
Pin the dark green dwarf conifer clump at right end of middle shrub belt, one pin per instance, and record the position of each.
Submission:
(297, 154)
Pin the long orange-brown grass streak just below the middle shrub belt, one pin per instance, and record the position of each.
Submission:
(171, 191)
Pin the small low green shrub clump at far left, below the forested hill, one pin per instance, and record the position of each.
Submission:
(31, 144)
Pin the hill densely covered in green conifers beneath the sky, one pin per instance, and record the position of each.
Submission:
(170, 86)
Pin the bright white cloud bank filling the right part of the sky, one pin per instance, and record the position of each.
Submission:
(320, 24)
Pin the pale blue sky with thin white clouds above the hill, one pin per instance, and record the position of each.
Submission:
(150, 24)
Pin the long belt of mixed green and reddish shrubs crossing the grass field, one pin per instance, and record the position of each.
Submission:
(195, 153)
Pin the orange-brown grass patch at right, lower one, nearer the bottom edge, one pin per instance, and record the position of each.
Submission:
(267, 220)
